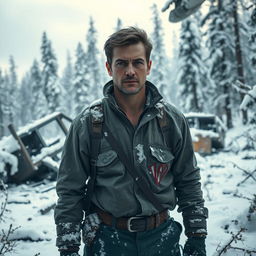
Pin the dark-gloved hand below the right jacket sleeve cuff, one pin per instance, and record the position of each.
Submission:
(195, 246)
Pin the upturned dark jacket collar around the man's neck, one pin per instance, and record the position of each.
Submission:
(153, 95)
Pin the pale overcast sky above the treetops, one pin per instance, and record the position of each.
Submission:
(22, 23)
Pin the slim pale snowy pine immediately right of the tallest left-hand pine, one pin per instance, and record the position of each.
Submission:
(67, 83)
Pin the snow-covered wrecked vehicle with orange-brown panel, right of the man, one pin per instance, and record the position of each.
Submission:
(207, 131)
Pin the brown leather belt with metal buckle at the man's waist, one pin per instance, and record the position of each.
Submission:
(133, 224)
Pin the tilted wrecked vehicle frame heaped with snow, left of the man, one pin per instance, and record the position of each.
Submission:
(33, 152)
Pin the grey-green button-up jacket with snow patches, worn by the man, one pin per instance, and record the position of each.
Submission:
(169, 167)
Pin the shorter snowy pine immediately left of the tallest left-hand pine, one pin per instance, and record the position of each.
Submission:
(39, 102)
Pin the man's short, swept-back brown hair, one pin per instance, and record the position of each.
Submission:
(125, 37)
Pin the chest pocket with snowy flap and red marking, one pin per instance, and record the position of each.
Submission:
(159, 162)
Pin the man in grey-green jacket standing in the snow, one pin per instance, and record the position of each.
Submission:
(124, 219)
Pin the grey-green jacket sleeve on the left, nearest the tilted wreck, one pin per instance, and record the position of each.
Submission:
(70, 187)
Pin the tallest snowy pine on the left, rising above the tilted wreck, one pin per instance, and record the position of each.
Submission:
(50, 81)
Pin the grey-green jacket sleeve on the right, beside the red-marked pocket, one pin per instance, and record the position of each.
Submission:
(187, 184)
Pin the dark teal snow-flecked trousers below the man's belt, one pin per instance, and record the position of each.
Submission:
(163, 240)
